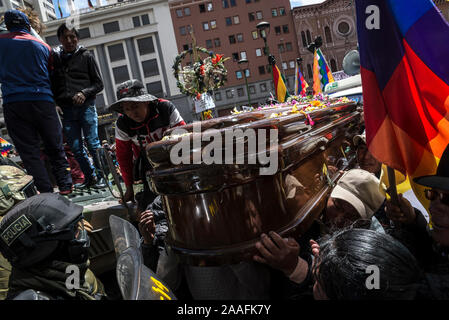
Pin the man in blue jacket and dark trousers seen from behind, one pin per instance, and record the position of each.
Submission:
(28, 103)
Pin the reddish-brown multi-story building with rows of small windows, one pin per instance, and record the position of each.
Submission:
(229, 27)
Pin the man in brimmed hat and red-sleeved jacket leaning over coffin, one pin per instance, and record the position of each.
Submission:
(143, 117)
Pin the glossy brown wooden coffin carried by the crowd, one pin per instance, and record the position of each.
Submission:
(216, 213)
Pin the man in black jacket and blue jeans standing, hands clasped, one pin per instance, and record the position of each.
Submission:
(76, 81)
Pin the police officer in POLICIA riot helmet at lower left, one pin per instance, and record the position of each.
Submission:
(44, 239)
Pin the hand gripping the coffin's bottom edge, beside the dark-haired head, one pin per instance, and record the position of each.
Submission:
(279, 253)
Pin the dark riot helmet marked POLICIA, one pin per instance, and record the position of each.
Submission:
(42, 227)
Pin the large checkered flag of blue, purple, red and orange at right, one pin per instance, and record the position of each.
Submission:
(404, 55)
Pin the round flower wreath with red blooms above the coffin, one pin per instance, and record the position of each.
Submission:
(204, 75)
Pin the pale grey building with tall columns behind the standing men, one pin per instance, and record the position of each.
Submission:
(130, 40)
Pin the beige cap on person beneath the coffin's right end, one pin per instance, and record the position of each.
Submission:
(361, 189)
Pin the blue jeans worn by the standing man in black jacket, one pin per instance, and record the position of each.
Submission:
(79, 121)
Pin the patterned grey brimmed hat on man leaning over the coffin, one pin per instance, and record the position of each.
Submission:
(131, 90)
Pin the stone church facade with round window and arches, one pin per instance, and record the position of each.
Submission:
(335, 22)
